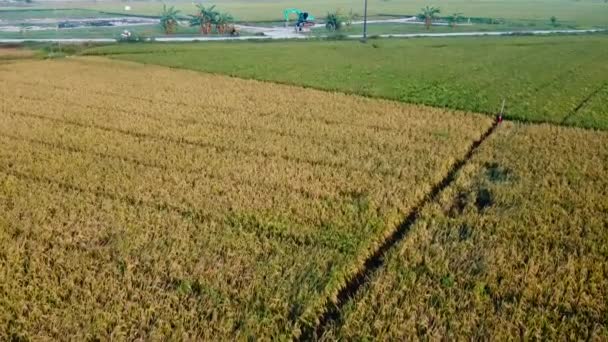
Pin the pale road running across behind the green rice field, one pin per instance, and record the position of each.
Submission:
(293, 35)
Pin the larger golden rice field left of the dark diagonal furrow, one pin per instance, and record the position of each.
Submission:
(140, 202)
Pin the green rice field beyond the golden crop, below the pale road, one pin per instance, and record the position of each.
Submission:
(542, 79)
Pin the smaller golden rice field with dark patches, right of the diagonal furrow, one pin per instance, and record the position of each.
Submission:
(515, 248)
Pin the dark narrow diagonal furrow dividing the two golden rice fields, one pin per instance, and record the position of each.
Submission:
(375, 261)
